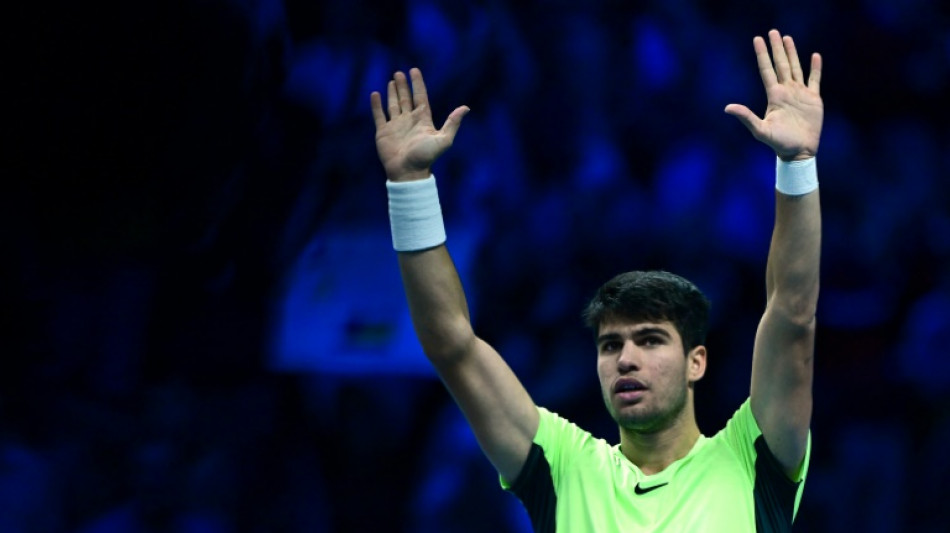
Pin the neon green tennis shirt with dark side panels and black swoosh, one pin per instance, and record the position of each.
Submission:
(729, 483)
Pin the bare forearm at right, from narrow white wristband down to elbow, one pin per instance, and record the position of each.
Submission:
(792, 275)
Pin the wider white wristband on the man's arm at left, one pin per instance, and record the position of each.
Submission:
(415, 215)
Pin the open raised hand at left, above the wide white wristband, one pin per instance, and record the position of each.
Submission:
(408, 143)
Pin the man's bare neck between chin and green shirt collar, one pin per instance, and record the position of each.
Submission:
(653, 451)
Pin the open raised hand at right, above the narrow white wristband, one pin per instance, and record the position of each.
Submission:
(792, 122)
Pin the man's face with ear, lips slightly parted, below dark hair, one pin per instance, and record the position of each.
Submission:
(644, 373)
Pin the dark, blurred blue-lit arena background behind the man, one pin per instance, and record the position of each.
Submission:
(204, 329)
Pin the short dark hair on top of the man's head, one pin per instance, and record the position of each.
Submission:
(652, 296)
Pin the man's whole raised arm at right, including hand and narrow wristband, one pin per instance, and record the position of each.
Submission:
(782, 364)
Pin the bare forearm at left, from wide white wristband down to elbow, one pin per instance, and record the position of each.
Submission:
(436, 302)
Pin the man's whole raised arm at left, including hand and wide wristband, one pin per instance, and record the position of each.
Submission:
(499, 410)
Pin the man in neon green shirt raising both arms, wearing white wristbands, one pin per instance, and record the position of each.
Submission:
(650, 328)
